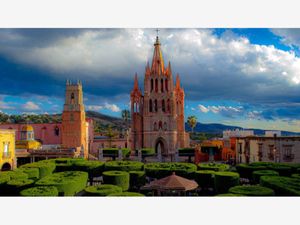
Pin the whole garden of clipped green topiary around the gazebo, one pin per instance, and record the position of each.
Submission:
(79, 177)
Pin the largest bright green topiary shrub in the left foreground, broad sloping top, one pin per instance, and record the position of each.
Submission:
(68, 183)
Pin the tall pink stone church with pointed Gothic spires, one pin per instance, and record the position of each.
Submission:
(158, 114)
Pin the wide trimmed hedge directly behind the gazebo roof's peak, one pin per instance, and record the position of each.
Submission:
(160, 170)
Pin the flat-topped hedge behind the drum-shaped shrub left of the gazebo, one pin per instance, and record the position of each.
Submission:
(124, 166)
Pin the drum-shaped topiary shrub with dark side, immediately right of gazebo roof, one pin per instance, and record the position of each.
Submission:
(226, 180)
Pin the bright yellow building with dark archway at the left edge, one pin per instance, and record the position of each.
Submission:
(7, 149)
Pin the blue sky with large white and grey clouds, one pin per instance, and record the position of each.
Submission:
(245, 77)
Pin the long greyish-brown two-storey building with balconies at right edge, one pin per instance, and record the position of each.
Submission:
(268, 149)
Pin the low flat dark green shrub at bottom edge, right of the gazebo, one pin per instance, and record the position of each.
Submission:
(252, 190)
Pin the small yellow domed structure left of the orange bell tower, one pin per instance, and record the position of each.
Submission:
(27, 139)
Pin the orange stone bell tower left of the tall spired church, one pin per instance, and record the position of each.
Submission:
(74, 126)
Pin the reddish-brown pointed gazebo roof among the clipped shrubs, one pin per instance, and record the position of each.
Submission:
(172, 182)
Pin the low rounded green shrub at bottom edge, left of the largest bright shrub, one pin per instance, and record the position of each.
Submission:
(38, 191)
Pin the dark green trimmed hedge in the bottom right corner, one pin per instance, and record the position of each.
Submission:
(283, 186)
